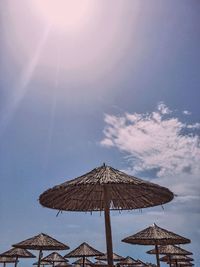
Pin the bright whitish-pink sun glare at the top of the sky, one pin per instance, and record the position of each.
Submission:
(66, 15)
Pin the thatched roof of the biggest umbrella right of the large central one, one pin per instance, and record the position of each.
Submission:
(155, 235)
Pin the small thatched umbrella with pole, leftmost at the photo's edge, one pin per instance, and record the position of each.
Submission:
(18, 253)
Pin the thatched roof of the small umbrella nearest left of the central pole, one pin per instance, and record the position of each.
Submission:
(83, 250)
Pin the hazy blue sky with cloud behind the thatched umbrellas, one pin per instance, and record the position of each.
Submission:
(76, 96)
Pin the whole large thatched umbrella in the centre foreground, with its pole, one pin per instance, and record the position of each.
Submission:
(102, 189)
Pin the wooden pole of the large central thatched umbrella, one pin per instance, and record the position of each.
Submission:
(108, 228)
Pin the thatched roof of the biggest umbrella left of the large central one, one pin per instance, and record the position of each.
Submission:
(41, 241)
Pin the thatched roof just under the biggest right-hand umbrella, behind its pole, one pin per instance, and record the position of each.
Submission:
(170, 249)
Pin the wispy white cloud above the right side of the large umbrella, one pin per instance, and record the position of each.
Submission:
(159, 142)
